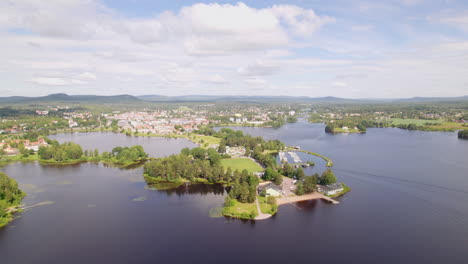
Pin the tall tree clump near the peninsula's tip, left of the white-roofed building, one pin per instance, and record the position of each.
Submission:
(243, 190)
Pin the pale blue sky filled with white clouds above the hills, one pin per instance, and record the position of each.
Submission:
(350, 49)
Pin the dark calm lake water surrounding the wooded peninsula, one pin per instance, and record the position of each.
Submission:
(408, 204)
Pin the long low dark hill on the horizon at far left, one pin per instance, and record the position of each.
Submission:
(79, 99)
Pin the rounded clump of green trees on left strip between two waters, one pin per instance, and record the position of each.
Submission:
(61, 152)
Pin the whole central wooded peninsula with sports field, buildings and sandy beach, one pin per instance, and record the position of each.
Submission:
(247, 165)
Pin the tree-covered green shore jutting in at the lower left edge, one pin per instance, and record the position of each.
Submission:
(10, 195)
